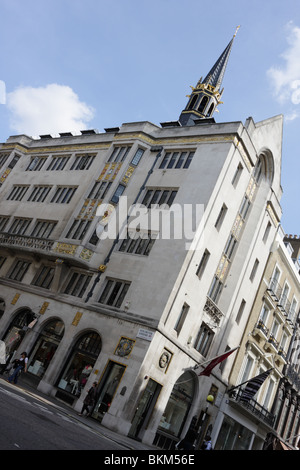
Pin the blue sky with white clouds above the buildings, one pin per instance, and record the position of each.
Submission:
(70, 65)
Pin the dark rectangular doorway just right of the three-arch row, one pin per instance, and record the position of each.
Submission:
(107, 388)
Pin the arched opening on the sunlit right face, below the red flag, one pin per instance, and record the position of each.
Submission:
(176, 411)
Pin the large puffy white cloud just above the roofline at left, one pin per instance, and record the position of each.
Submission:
(47, 110)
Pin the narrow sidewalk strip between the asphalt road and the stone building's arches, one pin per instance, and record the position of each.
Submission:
(125, 441)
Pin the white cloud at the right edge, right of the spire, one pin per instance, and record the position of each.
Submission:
(286, 78)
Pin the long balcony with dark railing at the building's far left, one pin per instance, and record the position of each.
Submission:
(24, 242)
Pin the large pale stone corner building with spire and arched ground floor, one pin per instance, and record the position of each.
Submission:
(138, 315)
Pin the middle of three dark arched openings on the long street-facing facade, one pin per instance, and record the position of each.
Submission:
(45, 347)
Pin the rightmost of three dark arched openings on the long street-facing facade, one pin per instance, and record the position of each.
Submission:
(79, 365)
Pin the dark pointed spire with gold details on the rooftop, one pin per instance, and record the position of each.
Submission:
(207, 94)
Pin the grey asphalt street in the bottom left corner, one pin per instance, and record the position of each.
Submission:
(31, 423)
